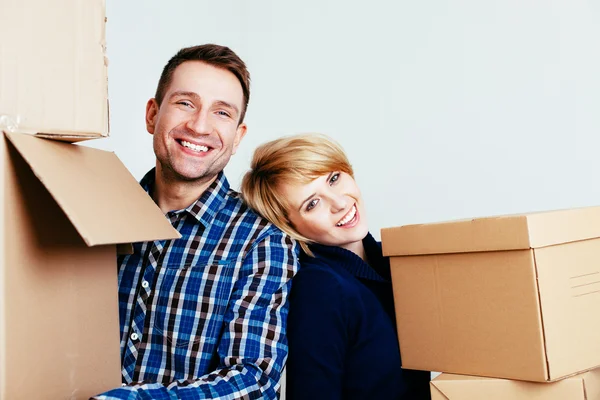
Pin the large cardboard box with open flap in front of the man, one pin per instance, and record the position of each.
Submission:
(64, 209)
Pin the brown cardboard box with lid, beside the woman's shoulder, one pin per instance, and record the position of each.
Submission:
(514, 297)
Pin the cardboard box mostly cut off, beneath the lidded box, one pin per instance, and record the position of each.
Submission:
(585, 386)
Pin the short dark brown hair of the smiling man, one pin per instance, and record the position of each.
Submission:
(212, 54)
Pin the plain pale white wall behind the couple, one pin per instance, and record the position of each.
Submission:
(447, 109)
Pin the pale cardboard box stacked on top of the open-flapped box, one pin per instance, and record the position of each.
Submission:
(52, 66)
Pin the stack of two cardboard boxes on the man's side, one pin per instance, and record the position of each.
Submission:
(63, 207)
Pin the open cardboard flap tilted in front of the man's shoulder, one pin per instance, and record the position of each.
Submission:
(95, 190)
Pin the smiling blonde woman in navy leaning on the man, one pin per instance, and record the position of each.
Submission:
(341, 324)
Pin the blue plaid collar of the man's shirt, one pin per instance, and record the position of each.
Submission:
(207, 206)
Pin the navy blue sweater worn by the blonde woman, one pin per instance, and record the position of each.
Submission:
(342, 331)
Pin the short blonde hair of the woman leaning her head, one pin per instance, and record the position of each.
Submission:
(297, 159)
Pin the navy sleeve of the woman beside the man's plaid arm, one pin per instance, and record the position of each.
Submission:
(319, 329)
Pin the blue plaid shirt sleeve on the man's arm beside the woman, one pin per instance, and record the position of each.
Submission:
(253, 347)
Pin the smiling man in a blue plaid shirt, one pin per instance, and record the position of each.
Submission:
(203, 316)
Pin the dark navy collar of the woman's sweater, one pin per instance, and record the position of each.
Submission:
(377, 271)
